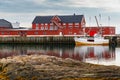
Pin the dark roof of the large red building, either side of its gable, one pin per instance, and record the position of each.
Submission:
(64, 19)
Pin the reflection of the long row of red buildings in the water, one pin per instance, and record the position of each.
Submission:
(78, 53)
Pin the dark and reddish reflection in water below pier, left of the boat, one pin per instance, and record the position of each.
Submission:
(52, 50)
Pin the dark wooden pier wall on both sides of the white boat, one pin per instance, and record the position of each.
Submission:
(113, 40)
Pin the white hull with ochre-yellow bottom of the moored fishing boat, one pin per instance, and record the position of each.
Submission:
(91, 41)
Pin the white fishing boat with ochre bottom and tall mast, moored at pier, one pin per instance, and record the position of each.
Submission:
(97, 39)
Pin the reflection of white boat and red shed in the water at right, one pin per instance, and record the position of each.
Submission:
(96, 54)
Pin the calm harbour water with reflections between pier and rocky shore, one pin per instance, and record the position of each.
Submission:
(91, 54)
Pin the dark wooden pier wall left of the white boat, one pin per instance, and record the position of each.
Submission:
(38, 40)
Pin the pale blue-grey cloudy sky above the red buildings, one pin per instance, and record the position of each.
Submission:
(24, 11)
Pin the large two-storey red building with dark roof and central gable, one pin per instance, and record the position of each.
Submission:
(58, 25)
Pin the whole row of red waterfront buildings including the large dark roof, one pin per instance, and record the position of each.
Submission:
(68, 25)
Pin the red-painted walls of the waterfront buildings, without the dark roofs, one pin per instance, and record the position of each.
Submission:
(68, 29)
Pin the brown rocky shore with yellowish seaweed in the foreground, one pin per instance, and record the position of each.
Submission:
(42, 67)
